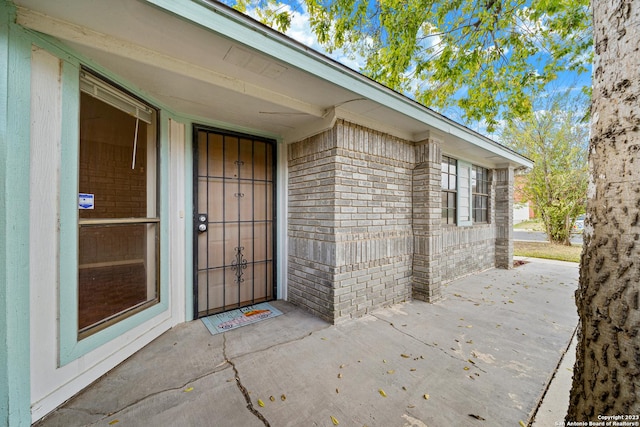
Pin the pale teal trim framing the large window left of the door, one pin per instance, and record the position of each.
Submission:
(70, 347)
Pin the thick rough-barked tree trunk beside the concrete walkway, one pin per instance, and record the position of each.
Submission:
(607, 372)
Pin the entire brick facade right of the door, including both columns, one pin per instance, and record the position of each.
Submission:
(364, 223)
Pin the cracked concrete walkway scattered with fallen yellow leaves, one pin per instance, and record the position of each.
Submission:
(482, 356)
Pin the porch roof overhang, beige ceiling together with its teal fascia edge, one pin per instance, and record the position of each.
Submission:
(206, 73)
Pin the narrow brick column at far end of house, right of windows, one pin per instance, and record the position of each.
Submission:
(504, 188)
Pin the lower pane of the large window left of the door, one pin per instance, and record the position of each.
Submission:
(114, 275)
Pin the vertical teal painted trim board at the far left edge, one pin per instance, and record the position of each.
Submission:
(15, 108)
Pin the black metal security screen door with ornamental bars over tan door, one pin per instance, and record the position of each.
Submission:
(234, 221)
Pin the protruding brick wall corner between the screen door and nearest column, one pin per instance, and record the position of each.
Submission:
(350, 236)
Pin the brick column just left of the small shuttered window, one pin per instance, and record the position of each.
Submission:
(427, 234)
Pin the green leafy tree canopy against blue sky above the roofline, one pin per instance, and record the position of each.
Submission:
(488, 58)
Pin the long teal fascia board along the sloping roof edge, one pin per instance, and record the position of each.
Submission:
(218, 19)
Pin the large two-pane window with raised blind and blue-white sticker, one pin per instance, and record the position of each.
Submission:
(118, 223)
